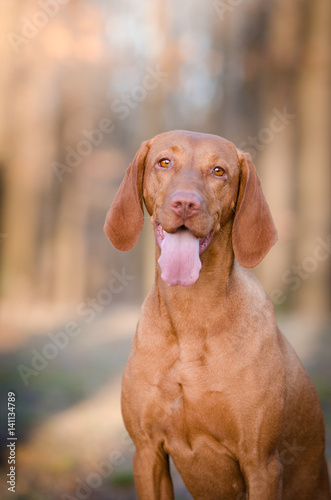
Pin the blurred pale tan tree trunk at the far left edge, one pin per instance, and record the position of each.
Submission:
(27, 137)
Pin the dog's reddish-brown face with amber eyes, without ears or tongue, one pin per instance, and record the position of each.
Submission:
(198, 171)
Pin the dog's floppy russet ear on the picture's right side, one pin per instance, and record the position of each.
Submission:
(253, 232)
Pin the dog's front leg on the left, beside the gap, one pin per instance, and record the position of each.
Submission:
(152, 474)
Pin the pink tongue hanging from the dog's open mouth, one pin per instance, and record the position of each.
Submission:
(180, 262)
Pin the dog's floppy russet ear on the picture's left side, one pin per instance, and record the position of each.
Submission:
(125, 218)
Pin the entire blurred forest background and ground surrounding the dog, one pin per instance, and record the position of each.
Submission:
(82, 84)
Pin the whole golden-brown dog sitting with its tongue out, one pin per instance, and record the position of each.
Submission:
(211, 381)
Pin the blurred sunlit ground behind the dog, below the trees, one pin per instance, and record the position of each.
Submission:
(72, 443)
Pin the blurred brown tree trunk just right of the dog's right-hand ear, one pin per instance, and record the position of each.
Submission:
(282, 57)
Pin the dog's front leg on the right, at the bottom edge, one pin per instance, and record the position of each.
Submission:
(264, 479)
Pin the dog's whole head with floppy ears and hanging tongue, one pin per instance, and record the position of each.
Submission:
(192, 185)
